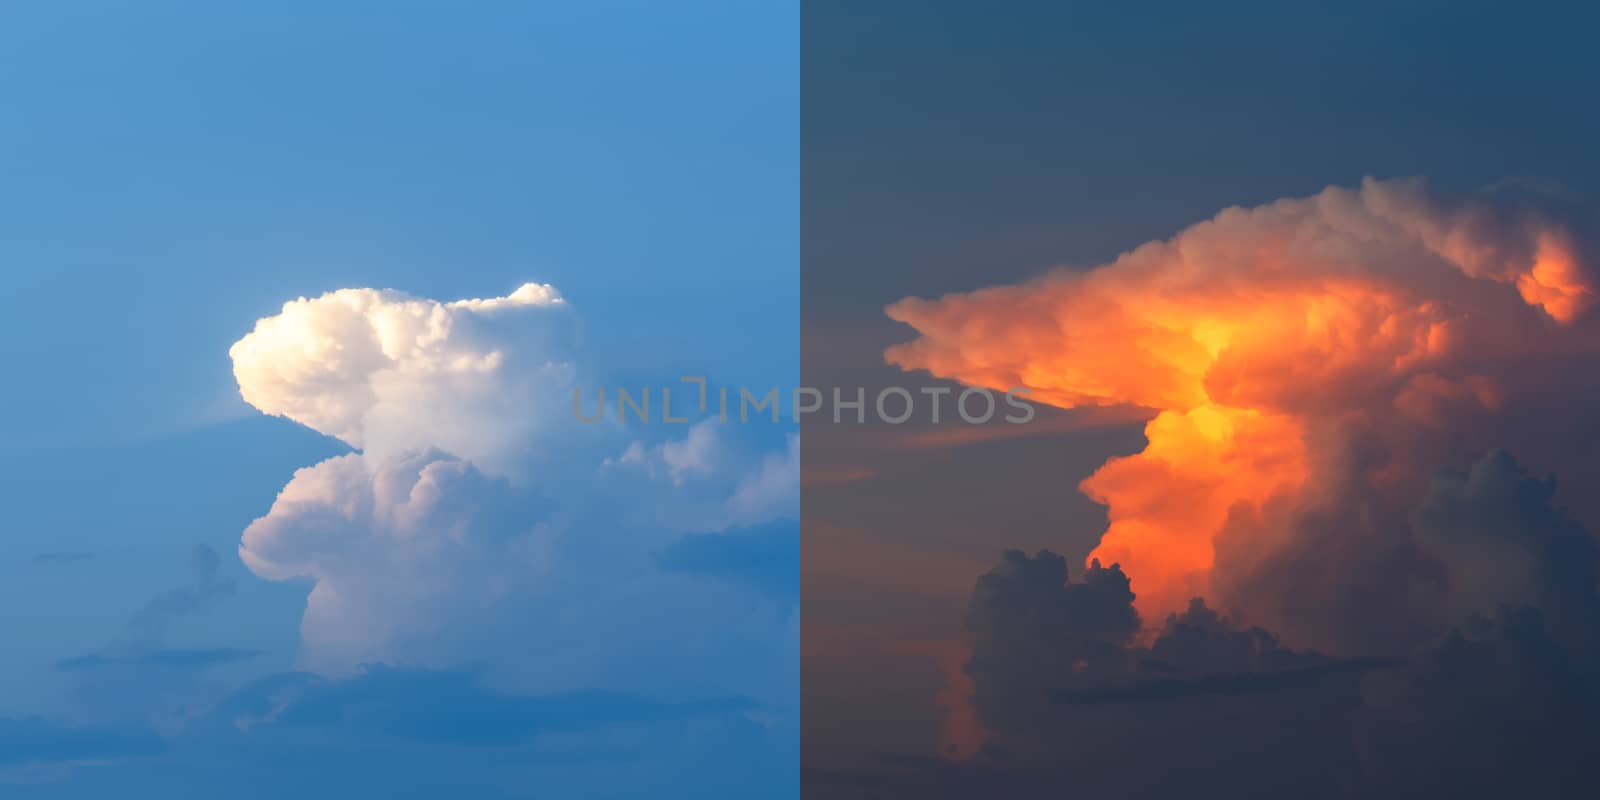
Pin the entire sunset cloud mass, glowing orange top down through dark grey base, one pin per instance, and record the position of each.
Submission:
(1356, 554)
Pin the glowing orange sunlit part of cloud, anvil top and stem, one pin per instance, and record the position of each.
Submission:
(1246, 334)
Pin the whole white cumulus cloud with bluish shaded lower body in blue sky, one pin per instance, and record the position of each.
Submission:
(479, 521)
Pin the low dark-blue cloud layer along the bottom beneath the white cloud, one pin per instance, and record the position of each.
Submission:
(388, 732)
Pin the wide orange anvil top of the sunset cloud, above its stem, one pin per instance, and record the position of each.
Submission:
(1266, 305)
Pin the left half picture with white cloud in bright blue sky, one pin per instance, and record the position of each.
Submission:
(393, 401)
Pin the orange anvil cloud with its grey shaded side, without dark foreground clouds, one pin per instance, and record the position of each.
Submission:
(1324, 375)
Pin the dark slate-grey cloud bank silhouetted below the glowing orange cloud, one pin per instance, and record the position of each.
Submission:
(1505, 703)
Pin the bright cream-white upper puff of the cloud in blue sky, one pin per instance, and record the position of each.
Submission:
(386, 372)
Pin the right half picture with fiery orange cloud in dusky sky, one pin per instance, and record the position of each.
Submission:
(1199, 401)
